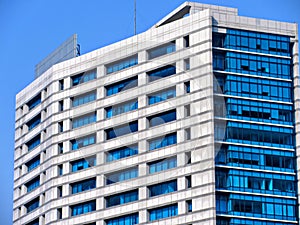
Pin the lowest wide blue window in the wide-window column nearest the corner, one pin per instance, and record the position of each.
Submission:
(163, 212)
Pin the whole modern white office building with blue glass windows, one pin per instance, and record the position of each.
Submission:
(195, 121)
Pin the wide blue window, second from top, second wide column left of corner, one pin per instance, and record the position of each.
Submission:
(121, 86)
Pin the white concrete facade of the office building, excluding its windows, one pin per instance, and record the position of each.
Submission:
(199, 25)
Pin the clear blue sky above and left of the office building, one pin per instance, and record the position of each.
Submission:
(31, 29)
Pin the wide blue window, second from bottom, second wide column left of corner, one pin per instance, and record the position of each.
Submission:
(122, 198)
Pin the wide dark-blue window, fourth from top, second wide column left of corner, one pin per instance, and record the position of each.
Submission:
(121, 130)
